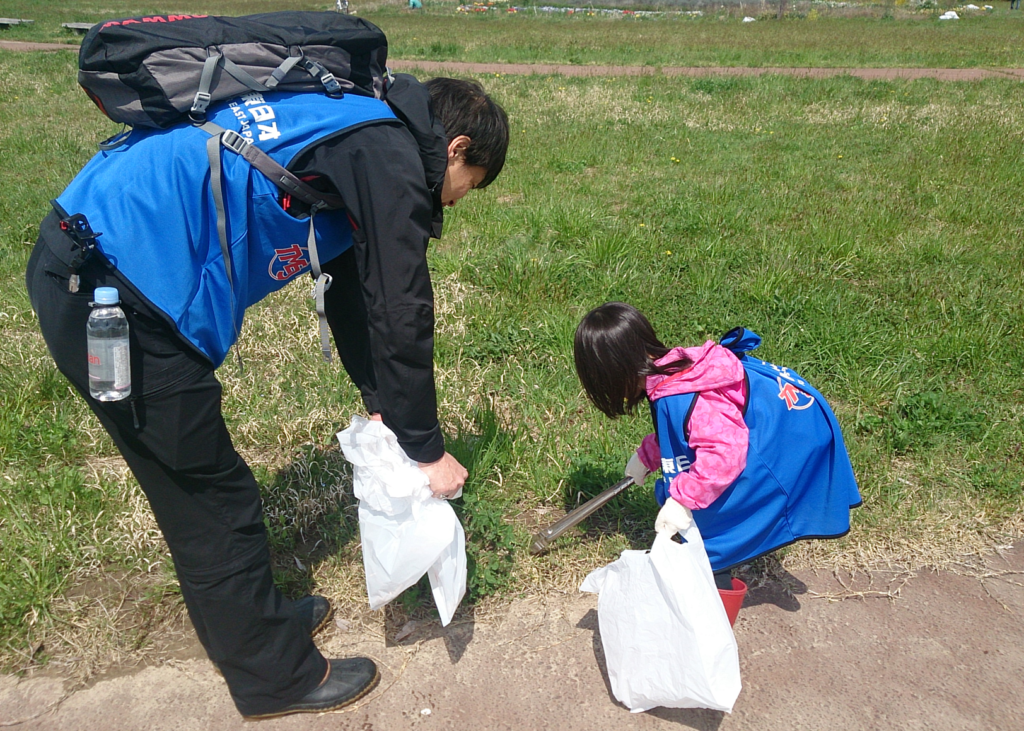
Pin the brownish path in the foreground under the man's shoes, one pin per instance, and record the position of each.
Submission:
(947, 654)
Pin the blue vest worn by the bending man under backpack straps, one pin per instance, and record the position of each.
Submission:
(151, 199)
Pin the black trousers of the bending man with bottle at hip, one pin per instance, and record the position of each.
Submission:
(173, 435)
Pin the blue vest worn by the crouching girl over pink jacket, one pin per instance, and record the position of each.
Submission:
(798, 483)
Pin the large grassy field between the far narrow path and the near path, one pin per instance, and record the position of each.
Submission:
(869, 231)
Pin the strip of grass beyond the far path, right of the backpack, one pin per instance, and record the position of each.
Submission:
(917, 41)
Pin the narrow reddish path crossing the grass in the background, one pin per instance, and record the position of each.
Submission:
(567, 70)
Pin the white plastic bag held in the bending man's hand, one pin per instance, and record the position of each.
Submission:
(406, 532)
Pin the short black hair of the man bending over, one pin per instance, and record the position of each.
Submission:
(464, 108)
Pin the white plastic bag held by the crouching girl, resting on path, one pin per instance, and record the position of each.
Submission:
(666, 636)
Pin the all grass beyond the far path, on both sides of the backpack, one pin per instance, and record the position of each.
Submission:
(806, 38)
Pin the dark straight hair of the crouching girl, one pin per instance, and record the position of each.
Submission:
(615, 351)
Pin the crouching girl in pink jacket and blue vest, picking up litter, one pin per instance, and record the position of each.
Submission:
(748, 450)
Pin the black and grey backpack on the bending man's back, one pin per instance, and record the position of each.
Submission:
(160, 70)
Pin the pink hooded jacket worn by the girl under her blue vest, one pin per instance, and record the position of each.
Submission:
(717, 433)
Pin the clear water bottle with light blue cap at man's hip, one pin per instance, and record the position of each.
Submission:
(107, 333)
